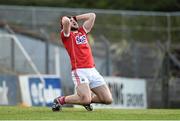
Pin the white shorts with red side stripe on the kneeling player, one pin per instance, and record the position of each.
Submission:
(87, 75)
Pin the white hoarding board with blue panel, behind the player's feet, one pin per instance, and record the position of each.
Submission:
(34, 93)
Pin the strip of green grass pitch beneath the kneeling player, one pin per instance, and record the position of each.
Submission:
(44, 113)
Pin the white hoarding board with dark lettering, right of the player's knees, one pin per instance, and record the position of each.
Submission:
(127, 93)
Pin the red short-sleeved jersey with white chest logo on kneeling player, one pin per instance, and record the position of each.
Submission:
(78, 49)
